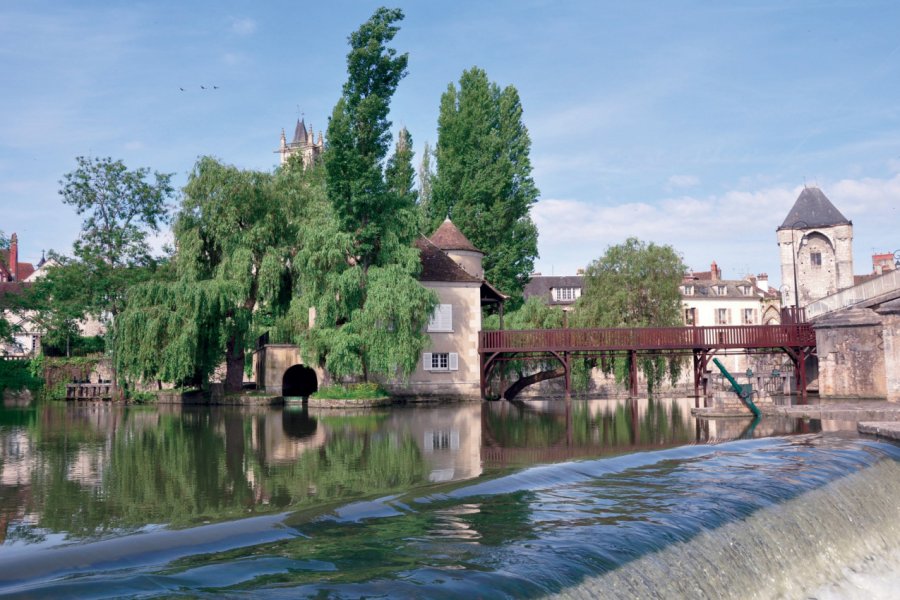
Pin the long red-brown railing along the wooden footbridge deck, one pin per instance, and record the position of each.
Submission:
(648, 338)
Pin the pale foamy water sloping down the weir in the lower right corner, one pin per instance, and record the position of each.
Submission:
(838, 541)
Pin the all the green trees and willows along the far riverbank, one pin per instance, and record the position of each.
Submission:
(255, 252)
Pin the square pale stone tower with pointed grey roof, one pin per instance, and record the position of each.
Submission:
(816, 245)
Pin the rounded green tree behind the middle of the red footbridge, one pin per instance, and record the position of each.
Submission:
(634, 284)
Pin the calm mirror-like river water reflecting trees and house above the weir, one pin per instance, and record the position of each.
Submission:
(89, 471)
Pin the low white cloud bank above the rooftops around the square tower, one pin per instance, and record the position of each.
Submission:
(736, 228)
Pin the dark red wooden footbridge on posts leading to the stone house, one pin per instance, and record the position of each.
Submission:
(796, 339)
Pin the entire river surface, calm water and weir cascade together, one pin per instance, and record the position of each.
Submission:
(584, 499)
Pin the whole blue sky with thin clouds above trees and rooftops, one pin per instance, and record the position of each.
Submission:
(694, 124)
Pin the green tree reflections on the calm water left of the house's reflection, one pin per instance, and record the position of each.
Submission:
(89, 472)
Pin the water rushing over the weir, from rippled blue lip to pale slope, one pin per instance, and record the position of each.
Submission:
(778, 517)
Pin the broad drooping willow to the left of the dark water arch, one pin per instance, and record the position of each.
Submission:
(236, 233)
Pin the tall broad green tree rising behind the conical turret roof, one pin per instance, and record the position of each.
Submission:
(483, 180)
